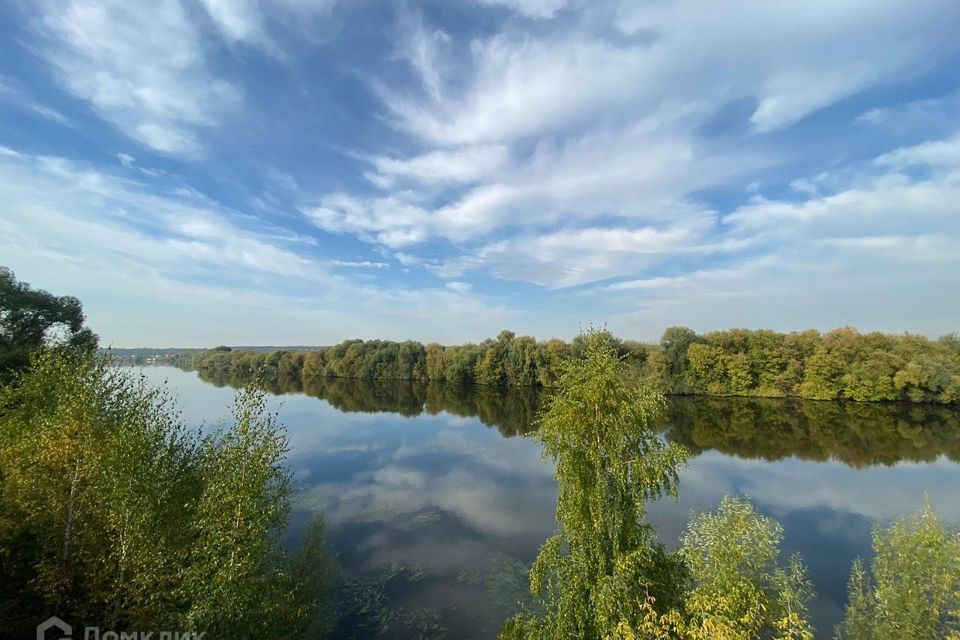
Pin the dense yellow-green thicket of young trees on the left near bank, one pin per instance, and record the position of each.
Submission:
(113, 513)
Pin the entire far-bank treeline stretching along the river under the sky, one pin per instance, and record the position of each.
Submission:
(841, 364)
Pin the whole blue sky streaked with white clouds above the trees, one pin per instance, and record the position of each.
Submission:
(204, 172)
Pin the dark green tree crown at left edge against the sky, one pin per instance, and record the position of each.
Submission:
(32, 318)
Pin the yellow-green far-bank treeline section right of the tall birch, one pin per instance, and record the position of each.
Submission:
(841, 364)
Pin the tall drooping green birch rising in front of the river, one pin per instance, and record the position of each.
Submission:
(609, 465)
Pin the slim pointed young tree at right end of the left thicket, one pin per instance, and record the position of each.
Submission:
(240, 510)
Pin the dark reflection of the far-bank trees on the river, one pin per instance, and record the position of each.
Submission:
(859, 434)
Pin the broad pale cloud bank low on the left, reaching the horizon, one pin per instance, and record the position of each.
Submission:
(169, 266)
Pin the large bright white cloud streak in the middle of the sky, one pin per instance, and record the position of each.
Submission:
(626, 173)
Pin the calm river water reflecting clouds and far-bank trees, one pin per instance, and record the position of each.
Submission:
(434, 502)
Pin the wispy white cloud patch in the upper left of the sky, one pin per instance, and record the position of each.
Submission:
(141, 66)
